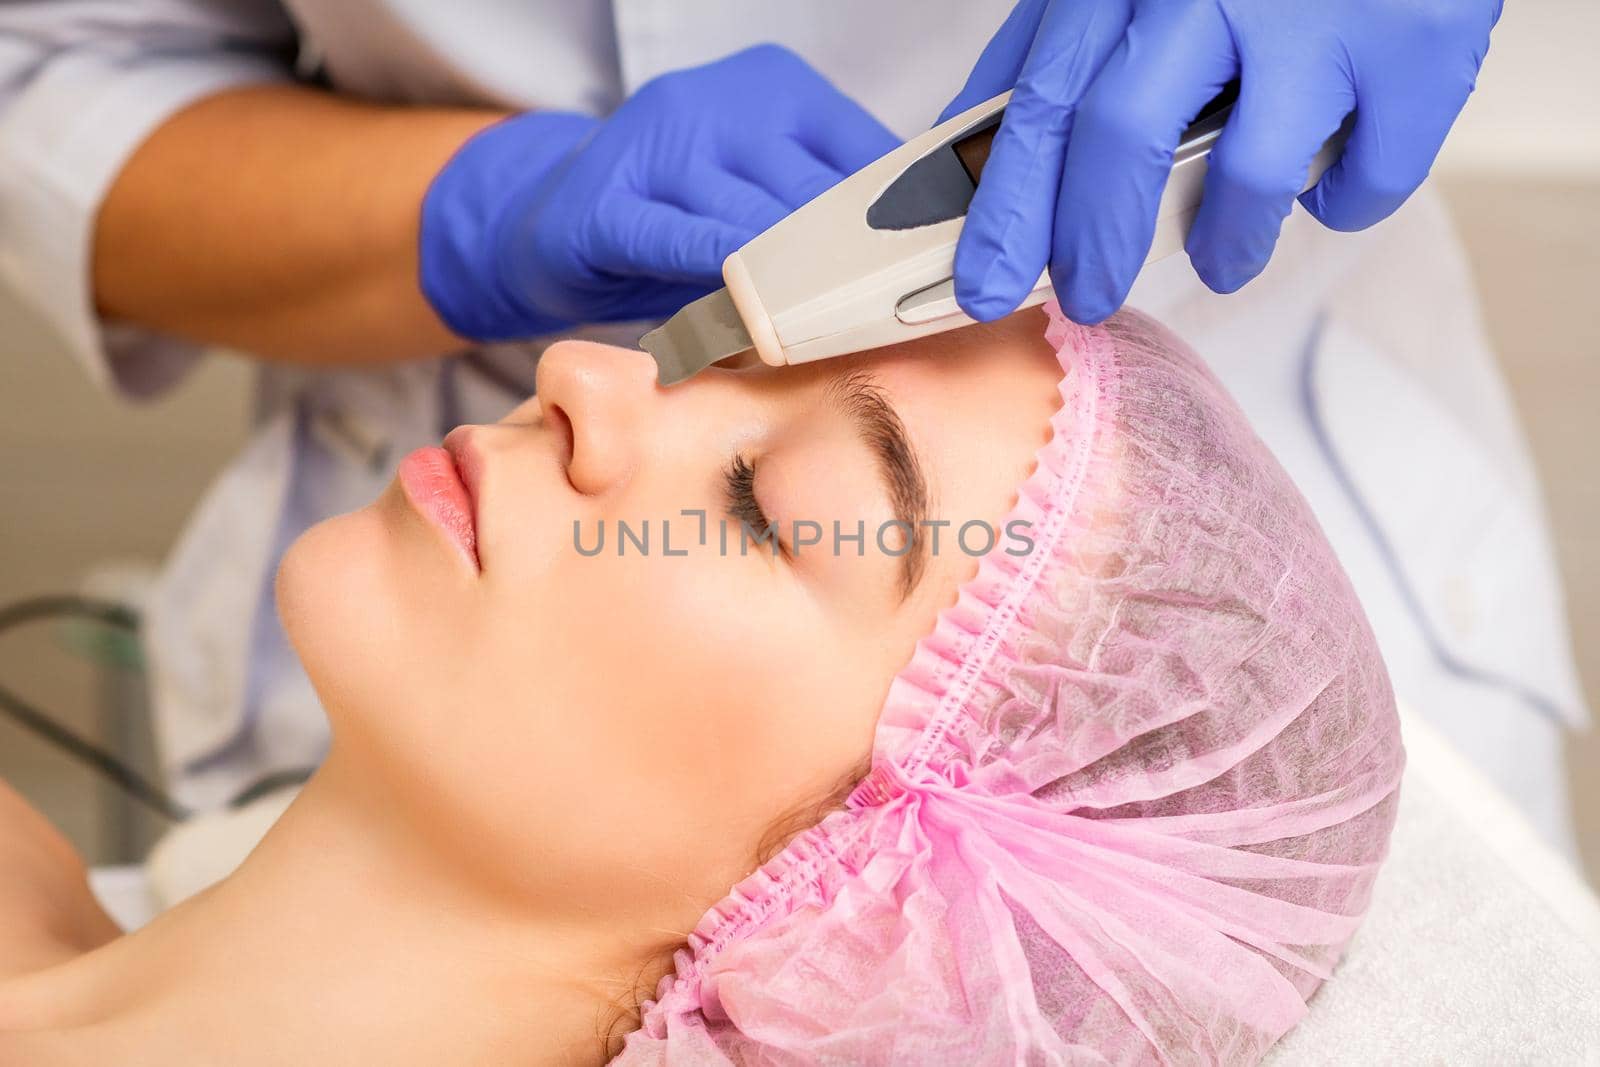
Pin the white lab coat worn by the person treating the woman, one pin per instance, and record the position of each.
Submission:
(1359, 359)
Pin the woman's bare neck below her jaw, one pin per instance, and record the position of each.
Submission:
(340, 929)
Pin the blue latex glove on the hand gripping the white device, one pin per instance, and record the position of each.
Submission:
(1105, 89)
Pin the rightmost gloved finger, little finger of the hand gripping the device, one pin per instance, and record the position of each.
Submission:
(1401, 124)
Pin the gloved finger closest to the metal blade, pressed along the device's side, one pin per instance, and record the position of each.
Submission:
(1006, 242)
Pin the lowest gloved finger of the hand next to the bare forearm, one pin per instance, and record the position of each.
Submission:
(636, 238)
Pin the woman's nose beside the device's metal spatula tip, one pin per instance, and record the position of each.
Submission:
(606, 398)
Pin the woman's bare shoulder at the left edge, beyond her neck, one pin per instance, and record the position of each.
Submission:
(47, 911)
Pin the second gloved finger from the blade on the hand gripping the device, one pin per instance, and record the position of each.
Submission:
(1174, 58)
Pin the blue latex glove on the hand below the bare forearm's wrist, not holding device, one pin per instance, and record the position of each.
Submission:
(548, 220)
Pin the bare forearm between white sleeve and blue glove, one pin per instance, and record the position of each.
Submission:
(281, 222)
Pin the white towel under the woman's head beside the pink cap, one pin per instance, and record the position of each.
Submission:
(1482, 945)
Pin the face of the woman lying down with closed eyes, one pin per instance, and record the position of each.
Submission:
(620, 729)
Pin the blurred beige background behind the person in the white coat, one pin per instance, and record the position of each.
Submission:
(94, 492)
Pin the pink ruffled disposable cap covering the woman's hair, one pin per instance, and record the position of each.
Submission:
(1129, 797)
